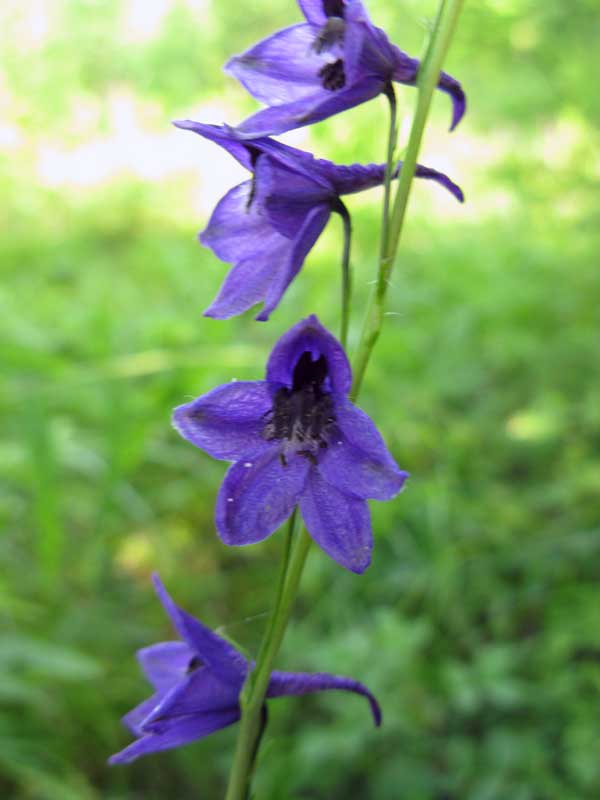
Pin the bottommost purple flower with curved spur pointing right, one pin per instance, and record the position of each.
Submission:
(197, 683)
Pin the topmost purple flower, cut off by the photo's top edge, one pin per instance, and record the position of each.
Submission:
(337, 59)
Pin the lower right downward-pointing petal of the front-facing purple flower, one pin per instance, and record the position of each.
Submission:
(339, 524)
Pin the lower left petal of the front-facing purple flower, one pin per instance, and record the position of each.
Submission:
(256, 497)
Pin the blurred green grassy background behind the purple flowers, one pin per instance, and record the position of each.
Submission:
(478, 624)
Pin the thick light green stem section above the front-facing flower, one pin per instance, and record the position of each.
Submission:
(427, 81)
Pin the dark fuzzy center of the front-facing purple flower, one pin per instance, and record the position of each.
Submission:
(302, 415)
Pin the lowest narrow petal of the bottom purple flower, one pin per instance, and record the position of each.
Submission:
(180, 732)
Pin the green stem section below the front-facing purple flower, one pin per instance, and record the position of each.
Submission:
(253, 694)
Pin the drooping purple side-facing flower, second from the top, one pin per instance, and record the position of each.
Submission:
(266, 226)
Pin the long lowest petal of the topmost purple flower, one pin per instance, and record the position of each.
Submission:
(313, 108)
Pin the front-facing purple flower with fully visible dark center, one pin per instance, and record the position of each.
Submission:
(295, 439)
